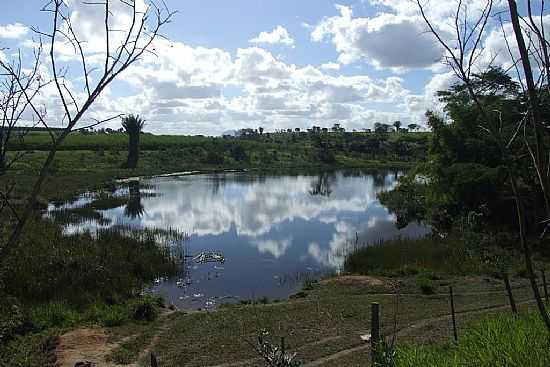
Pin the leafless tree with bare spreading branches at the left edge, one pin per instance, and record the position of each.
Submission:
(122, 48)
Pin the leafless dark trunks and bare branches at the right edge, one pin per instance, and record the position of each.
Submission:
(462, 51)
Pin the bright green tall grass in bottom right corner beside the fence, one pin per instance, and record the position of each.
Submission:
(497, 341)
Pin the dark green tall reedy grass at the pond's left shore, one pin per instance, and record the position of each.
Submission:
(80, 269)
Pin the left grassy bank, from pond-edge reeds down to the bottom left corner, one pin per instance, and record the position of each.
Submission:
(53, 282)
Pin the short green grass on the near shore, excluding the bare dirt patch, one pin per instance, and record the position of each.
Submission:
(330, 310)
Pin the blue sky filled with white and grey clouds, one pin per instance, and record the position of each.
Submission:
(227, 65)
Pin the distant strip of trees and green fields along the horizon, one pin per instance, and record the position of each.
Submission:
(311, 147)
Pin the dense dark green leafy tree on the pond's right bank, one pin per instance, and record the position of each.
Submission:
(464, 170)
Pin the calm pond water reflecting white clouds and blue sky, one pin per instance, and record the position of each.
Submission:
(274, 231)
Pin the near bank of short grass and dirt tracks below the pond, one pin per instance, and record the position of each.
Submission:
(327, 319)
